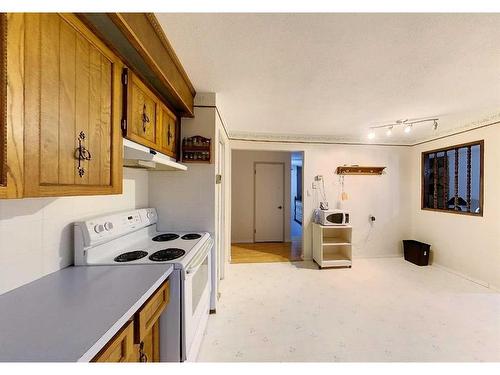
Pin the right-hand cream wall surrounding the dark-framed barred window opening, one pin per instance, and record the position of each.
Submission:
(465, 244)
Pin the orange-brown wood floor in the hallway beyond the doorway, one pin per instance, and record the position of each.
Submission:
(266, 252)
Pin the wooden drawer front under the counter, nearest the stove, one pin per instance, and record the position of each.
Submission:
(148, 315)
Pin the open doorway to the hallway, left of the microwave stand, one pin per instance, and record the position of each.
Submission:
(263, 208)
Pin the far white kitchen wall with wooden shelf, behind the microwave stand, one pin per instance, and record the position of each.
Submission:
(387, 196)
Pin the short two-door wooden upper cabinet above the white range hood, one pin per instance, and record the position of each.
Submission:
(149, 121)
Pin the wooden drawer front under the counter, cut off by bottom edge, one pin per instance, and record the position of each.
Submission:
(120, 348)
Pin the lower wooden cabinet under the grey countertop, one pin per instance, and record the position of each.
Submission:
(139, 339)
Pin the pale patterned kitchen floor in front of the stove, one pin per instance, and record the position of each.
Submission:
(382, 309)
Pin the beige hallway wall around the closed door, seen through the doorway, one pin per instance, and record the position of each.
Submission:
(242, 191)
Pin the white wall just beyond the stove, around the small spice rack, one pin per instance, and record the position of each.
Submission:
(188, 201)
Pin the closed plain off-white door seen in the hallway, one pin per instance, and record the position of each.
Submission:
(269, 202)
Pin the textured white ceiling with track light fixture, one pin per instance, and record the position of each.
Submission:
(331, 76)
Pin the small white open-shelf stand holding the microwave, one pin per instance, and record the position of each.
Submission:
(332, 245)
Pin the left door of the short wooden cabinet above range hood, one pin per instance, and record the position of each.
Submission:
(142, 114)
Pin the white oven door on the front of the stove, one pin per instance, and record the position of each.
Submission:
(197, 288)
